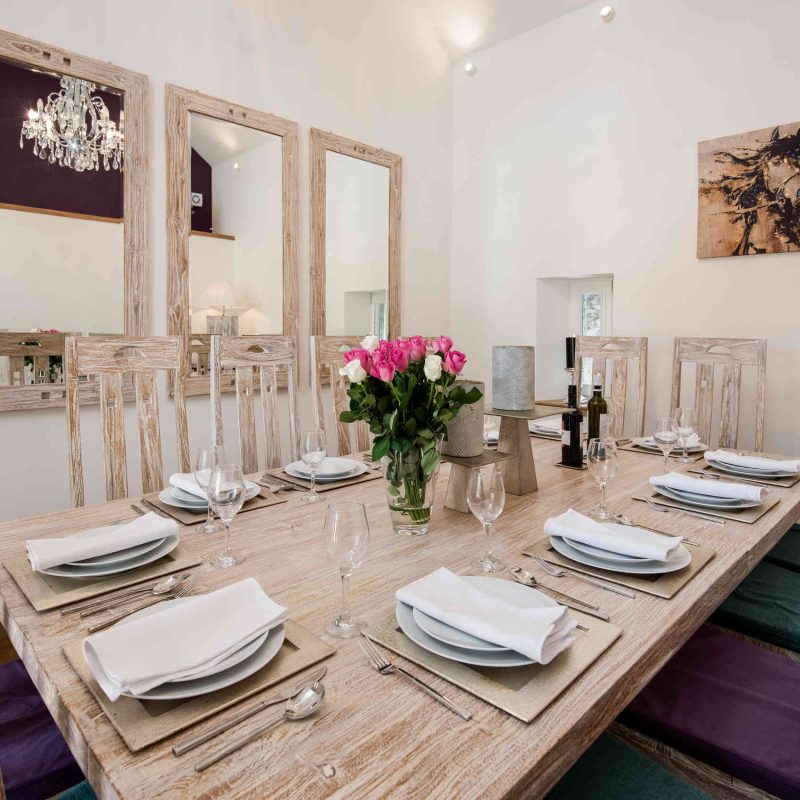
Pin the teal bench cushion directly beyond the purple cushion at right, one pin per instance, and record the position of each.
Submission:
(766, 606)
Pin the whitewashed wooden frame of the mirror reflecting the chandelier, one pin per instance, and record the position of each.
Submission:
(134, 87)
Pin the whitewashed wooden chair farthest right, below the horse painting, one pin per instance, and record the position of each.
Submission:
(731, 355)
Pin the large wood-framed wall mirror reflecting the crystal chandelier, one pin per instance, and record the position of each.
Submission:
(72, 213)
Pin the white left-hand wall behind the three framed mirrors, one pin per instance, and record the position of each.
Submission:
(373, 71)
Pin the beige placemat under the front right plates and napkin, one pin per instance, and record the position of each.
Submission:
(523, 692)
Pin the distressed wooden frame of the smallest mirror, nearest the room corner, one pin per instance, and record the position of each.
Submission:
(321, 143)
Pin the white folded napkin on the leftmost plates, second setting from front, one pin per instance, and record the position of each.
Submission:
(47, 553)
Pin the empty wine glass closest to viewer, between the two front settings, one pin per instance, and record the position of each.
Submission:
(346, 542)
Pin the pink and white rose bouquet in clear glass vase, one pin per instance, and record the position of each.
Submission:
(406, 392)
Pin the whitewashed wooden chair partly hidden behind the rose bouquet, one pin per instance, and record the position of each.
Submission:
(326, 360)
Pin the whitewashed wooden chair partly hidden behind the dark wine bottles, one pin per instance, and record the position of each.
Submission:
(612, 354)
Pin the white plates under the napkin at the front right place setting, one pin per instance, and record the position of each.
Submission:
(449, 642)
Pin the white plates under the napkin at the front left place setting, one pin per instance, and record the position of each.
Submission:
(236, 667)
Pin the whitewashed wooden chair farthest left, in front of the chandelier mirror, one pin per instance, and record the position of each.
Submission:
(110, 359)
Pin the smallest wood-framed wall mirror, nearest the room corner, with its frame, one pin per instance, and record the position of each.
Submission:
(355, 238)
